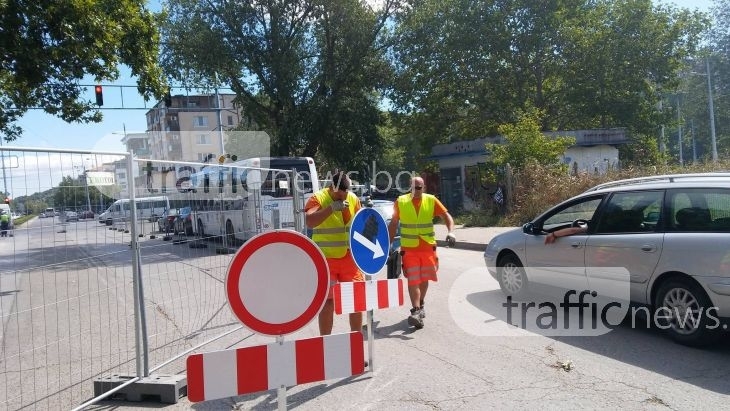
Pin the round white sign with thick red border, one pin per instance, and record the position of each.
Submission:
(277, 282)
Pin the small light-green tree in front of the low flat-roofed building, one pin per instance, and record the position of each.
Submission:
(525, 143)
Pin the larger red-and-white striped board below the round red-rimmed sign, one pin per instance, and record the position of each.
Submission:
(221, 374)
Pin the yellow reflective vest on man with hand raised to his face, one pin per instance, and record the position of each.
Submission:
(333, 235)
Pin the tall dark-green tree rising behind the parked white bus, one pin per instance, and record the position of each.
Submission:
(308, 73)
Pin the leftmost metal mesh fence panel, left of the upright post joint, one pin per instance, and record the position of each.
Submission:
(65, 300)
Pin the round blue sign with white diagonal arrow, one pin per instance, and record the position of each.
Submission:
(369, 241)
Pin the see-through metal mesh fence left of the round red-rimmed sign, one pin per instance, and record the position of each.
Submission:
(94, 304)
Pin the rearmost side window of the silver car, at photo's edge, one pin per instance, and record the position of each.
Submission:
(706, 210)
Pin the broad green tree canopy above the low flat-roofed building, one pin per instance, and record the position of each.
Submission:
(464, 68)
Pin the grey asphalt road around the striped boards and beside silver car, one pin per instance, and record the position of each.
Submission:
(456, 363)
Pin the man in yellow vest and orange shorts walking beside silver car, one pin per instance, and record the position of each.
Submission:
(415, 212)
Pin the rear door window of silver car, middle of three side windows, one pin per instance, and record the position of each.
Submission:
(633, 212)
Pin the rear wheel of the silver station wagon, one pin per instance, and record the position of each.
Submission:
(684, 311)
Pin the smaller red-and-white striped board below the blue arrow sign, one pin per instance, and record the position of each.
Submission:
(360, 296)
